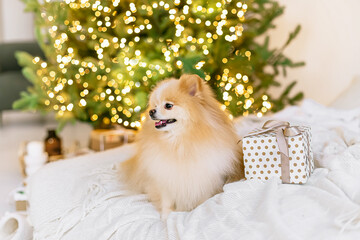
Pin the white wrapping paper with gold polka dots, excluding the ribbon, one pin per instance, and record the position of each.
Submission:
(262, 158)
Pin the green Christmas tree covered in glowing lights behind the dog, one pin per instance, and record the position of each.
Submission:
(104, 57)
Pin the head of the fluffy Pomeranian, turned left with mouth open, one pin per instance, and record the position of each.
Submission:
(173, 103)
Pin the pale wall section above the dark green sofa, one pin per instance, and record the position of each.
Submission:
(15, 25)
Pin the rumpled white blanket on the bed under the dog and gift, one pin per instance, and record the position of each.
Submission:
(82, 198)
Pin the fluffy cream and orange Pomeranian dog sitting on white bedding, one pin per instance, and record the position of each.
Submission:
(187, 147)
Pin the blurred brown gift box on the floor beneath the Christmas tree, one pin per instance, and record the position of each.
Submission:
(103, 139)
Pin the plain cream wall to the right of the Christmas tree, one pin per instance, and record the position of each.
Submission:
(329, 43)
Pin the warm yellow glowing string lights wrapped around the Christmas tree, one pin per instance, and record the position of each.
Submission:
(118, 73)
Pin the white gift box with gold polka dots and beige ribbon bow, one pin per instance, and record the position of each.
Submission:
(278, 150)
